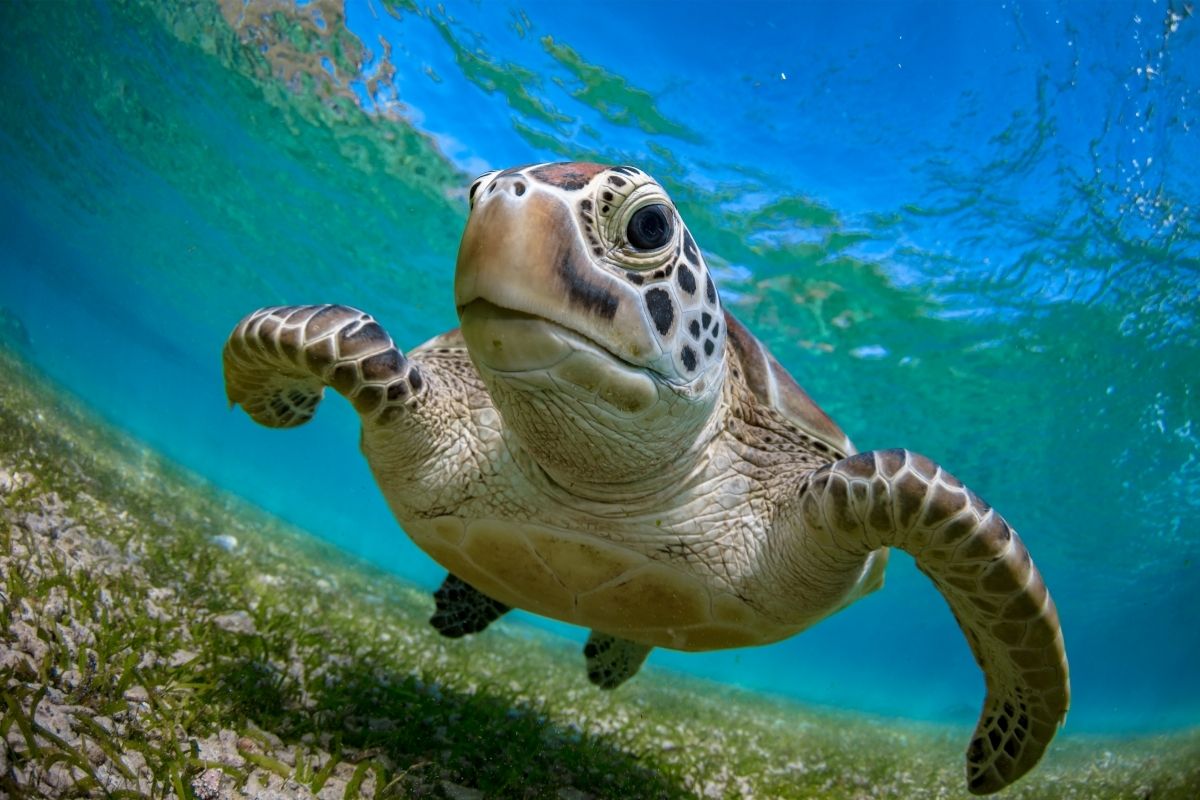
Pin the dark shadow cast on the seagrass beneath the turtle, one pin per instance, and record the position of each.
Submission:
(424, 736)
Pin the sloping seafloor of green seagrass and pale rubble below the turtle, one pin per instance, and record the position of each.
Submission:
(163, 639)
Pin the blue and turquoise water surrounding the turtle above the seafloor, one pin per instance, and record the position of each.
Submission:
(969, 230)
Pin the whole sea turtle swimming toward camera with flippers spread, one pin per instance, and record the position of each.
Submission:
(603, 443)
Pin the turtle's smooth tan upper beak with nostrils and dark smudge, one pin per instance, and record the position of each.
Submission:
(524, 251)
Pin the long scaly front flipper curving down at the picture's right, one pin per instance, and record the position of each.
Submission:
(899, 500)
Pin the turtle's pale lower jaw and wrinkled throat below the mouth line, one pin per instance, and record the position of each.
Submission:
(595, 424)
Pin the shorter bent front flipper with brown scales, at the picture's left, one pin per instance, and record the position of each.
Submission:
(279, 360)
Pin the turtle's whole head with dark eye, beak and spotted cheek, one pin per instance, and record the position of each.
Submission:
(590, 312)
